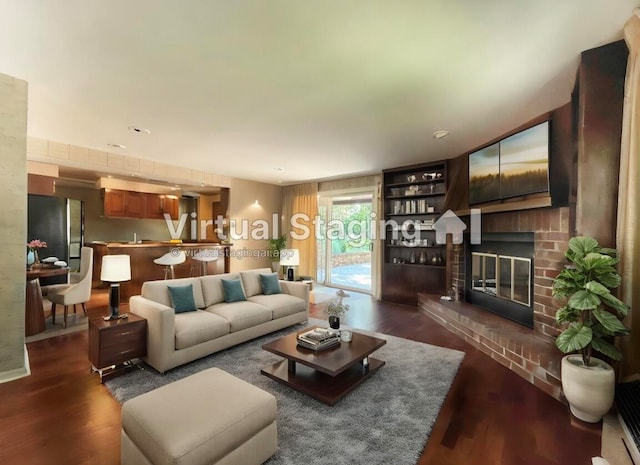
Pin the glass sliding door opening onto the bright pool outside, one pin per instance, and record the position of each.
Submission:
(345, 241)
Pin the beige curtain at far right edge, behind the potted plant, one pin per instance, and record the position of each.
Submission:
(628, 235)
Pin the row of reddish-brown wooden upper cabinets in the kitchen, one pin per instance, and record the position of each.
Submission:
(129, 204)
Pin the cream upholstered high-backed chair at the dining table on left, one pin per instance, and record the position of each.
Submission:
(78, 291)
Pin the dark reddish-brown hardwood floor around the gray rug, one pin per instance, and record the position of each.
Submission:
(62, 415)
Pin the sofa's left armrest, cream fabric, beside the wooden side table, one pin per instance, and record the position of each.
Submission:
(160, 330)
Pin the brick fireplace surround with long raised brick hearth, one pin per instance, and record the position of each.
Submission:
(531, 353)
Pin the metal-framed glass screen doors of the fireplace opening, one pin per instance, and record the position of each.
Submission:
(502, 276)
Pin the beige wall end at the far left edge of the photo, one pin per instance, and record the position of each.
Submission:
(13, 211)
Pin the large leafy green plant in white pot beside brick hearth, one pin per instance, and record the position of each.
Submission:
(590, 321)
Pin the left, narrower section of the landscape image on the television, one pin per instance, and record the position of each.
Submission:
(484, 175)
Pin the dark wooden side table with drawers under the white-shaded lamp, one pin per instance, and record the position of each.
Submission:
(114, 343)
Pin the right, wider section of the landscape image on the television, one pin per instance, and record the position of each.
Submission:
(524, 162)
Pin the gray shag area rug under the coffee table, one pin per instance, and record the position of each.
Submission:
(384, 421)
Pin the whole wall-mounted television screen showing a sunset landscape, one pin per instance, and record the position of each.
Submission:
(515, 166)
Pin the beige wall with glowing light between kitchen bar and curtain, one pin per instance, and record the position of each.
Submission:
(249, 253)
